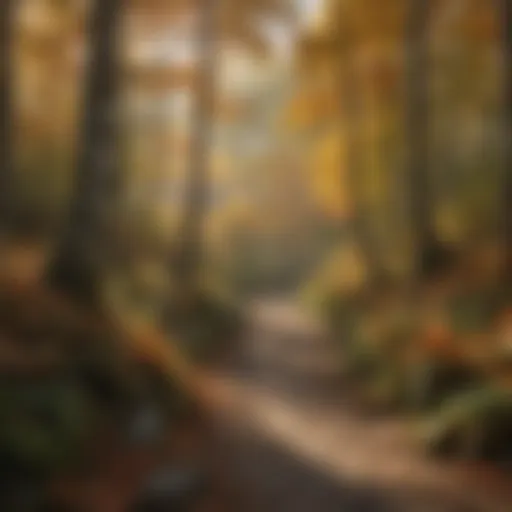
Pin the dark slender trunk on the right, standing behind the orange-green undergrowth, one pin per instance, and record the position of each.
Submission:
(417, 136)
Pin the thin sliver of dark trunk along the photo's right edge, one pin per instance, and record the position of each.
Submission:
(506, 14)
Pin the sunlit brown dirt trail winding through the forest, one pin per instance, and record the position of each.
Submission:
(290, 441)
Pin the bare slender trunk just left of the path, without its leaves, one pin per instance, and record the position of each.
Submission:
(191, 249)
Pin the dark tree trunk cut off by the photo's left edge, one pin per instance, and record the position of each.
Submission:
(6, 133)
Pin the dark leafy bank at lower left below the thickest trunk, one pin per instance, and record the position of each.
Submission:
(65, 376)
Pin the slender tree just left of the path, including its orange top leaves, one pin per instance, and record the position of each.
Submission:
(231, 19)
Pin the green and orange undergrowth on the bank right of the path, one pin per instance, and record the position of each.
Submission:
(443, 355)
